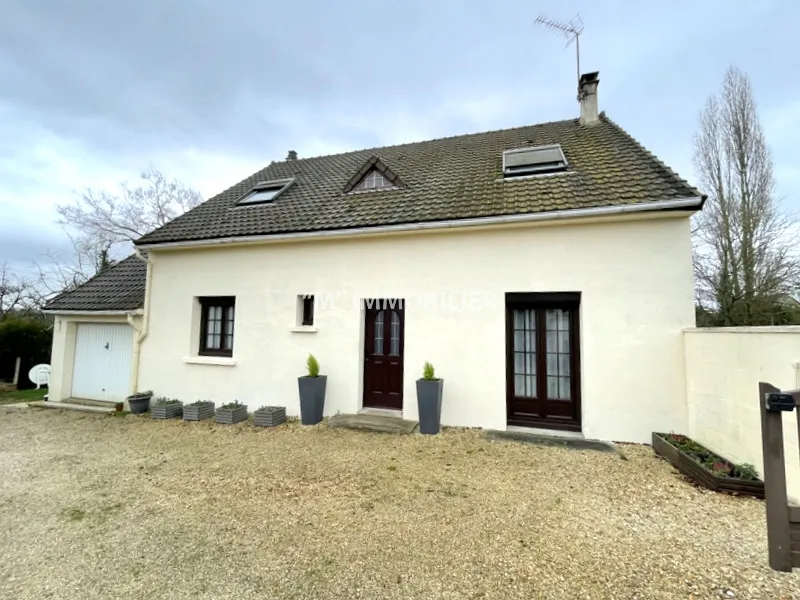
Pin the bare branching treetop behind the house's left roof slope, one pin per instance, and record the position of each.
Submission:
(123, 216)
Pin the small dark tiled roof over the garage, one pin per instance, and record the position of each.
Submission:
(119, 288)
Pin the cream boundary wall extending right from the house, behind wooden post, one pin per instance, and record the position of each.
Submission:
(723, 368)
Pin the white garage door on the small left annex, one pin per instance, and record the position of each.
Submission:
(102, 366)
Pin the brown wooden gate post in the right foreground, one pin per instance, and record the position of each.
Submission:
(778, 537)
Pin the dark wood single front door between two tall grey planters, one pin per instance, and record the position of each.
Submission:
(383, 353)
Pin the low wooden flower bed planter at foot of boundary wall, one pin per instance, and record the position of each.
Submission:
(707, 468)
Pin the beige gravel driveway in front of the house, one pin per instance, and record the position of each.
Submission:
(103, 507)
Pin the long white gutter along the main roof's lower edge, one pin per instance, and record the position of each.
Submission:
(692, 203)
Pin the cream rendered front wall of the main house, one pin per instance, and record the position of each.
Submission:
(635, 278)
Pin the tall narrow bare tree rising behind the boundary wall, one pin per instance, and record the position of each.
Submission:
(743, 259)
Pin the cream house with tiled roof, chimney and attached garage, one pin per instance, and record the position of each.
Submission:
(545, 271)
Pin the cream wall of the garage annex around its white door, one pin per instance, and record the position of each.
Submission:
(62, 354)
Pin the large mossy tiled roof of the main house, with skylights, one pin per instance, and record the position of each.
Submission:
(445, 179)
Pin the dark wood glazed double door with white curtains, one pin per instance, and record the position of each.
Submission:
(543, 360)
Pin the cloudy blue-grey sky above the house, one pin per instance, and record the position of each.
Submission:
(92, 91)
